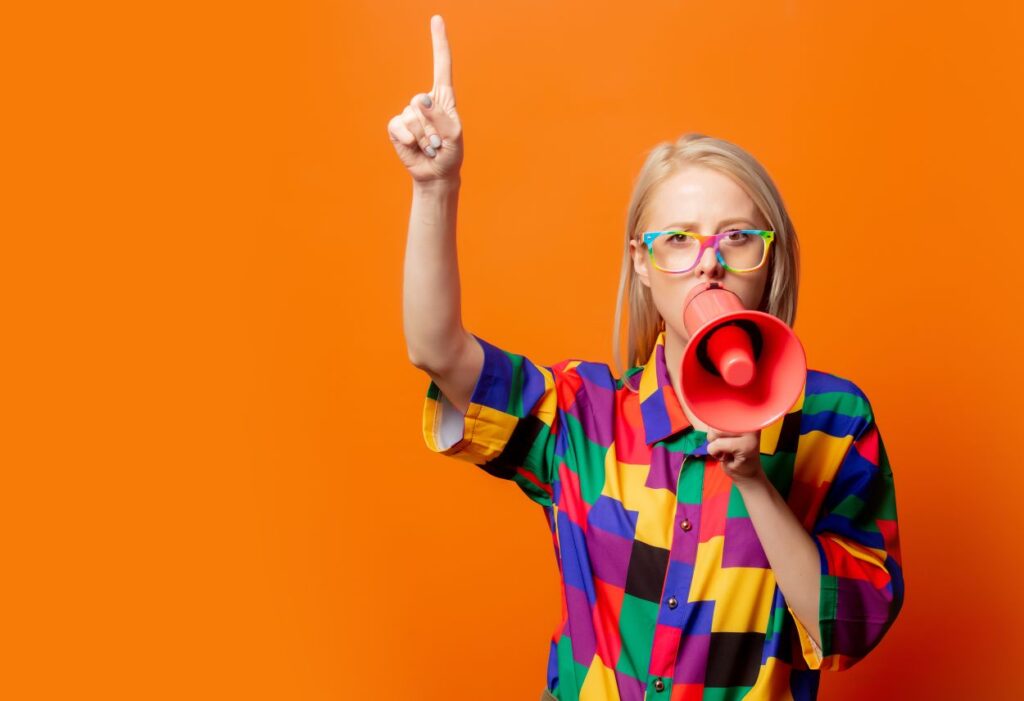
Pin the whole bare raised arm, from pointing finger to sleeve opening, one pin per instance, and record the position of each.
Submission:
(428, 137)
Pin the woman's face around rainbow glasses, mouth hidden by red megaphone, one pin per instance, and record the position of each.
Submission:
(706, 202)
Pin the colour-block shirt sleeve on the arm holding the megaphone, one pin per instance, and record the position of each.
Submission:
(862, 585)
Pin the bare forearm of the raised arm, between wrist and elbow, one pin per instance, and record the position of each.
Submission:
(432, 293)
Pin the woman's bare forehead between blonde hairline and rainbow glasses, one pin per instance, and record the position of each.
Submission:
(702, 196)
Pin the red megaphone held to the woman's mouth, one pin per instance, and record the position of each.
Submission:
(742, 370)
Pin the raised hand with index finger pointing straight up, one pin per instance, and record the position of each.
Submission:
(428, 135)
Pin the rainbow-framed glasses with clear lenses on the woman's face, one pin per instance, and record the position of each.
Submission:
(737, 250)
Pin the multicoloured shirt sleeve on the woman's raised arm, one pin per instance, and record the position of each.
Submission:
(511, 424)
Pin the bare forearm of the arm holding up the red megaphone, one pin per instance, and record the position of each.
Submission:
(791, 550)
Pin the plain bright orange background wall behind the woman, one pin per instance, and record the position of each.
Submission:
(215, 480)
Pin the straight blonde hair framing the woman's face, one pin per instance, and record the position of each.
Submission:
(665, 160)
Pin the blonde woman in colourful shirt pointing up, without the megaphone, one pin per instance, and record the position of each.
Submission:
(696, 564)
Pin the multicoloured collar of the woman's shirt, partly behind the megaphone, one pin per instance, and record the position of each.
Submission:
(663, 415)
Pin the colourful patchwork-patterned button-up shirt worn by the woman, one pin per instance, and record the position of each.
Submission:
(667, 593)
